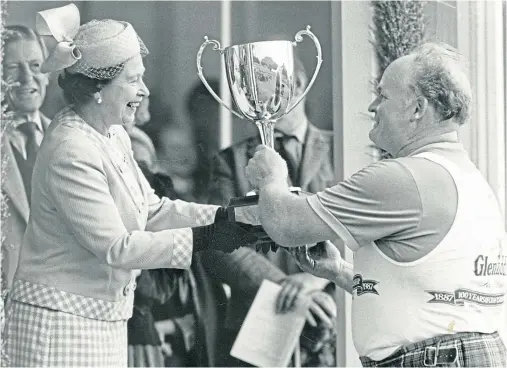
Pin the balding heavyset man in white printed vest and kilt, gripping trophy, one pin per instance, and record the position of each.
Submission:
(430, 257)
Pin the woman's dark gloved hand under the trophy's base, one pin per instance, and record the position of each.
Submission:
(227, 236)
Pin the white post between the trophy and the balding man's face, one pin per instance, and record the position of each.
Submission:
(353, 69)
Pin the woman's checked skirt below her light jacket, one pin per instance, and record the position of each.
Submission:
(37, 336)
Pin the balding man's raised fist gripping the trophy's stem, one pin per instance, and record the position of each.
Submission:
(266, 166)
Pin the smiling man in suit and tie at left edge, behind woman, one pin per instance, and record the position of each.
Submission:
(24, 52)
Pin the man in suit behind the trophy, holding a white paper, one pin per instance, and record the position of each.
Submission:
(308, 151)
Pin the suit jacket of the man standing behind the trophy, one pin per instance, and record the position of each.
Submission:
(244, 269)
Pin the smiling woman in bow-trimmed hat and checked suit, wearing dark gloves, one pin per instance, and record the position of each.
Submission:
(94, 219)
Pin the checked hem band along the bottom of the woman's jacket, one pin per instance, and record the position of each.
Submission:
(52, 298)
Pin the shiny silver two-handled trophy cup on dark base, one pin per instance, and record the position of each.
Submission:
(261, 80)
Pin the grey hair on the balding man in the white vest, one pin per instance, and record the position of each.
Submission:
(439, 75)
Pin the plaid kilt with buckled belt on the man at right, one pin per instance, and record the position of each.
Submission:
(472, 349)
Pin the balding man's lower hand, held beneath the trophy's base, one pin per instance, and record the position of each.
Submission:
(322, 260)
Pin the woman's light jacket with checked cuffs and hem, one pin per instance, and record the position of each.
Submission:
(95, 219)
